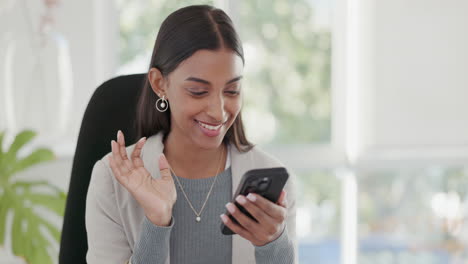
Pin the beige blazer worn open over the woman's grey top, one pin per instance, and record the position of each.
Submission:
(113, 217)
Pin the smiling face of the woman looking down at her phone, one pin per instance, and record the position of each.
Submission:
(204, 97)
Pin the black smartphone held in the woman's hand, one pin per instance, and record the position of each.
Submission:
(265, 182)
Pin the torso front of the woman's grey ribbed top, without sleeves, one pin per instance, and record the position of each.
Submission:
(201, 242)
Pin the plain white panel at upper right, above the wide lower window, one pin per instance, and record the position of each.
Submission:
(412, 83)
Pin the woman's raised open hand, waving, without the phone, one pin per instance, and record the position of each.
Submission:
(155, 196)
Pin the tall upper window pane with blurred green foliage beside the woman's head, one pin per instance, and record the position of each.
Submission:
(288, 56)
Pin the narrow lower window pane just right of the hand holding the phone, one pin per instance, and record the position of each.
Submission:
(318, 216)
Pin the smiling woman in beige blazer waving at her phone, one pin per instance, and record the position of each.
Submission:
(189, 117)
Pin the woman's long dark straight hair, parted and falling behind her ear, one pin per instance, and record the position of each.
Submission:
(182, 33)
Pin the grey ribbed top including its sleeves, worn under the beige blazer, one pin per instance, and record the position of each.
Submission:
(190, 241)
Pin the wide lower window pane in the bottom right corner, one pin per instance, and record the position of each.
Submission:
(413, 215)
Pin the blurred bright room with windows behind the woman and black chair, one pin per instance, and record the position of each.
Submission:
(366, 101)
